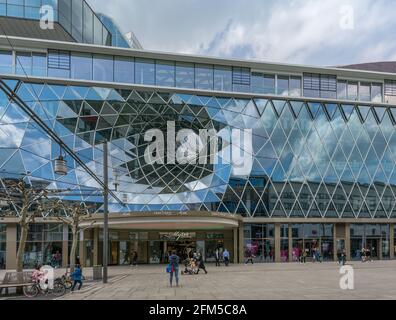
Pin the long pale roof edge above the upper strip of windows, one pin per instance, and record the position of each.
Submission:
(29, 43)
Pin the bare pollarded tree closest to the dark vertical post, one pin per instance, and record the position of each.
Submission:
(73, 214)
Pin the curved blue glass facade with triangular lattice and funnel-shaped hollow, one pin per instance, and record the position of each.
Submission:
(308, 159)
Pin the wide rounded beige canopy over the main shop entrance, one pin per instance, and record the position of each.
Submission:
(168, 221)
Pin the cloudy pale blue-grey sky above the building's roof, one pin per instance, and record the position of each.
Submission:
(325, 32)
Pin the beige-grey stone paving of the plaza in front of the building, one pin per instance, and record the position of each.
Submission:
(373, 280)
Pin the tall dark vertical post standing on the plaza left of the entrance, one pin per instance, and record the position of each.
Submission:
(106, 211)
